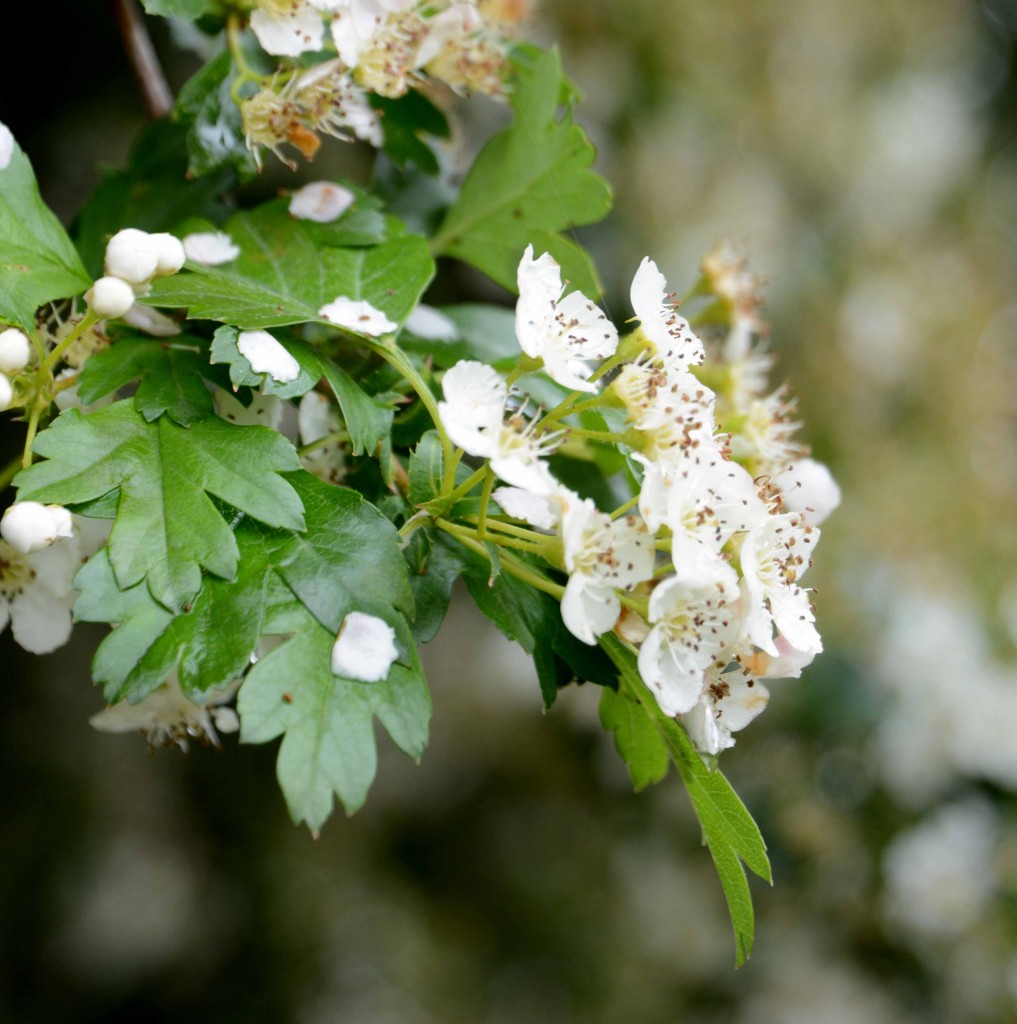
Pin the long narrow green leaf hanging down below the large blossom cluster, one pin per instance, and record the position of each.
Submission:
(728, 827)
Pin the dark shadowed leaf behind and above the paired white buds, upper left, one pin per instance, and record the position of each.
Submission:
(153, 193)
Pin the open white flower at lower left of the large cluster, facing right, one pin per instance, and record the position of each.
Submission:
(602, 557)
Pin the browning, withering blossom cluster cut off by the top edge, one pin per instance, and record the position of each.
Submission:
(385, 48)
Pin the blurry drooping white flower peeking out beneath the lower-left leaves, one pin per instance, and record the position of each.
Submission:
(167, 718)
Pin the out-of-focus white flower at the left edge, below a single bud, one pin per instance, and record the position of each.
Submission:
(36, 595)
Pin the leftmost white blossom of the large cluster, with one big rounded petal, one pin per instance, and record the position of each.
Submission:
(474, 414)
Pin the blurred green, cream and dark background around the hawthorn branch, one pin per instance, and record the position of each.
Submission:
(865, 154)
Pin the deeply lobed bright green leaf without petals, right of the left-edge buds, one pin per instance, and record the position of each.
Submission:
(167, 528)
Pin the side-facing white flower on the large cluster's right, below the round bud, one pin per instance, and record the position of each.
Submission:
(776, 553)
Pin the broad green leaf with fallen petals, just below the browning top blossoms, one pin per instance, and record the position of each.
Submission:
(285, 277)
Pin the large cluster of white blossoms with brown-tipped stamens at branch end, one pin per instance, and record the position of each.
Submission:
(706, 580)
